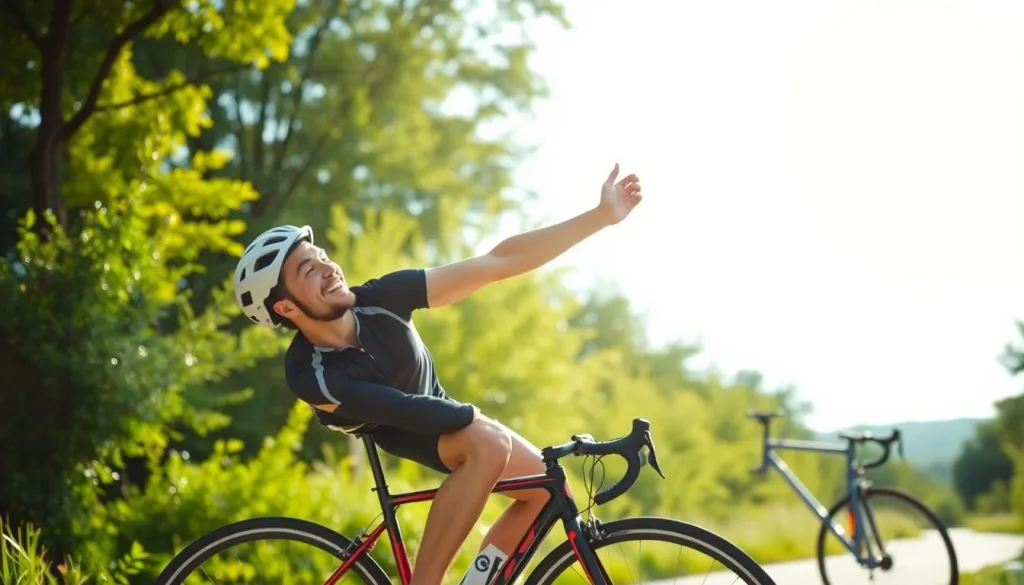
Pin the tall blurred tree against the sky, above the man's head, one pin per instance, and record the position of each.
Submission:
(383, 105)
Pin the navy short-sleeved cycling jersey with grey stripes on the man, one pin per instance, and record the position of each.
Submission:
(391, 381)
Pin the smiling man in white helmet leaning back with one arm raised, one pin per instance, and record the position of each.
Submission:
(359, 361)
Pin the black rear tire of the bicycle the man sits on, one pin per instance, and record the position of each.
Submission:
(265, 528)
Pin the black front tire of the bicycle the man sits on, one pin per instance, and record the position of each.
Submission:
(654, 528)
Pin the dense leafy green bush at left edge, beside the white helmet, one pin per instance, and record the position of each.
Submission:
(109, 292)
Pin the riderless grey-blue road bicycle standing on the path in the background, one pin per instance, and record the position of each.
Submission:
(860, 533)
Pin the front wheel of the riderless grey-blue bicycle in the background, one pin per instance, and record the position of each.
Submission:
(908, 539)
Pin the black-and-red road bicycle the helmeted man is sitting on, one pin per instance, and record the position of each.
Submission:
(581, 556)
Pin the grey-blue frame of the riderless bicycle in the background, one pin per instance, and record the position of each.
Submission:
(772, 461)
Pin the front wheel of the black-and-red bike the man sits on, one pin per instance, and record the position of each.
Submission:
(665, 549)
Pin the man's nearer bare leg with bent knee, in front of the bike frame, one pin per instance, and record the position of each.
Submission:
(478, 455)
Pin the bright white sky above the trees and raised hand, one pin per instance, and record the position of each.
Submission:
(833, 190)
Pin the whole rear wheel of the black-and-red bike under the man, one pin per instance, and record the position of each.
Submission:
(270, 551)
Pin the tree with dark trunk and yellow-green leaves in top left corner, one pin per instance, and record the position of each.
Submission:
(68, 68)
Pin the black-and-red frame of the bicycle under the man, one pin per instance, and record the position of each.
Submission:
(562, 506)
